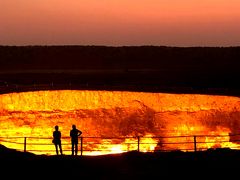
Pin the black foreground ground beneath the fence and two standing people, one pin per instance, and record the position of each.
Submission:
(215, 164)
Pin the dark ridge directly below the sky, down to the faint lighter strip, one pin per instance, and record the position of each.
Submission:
(142, 57)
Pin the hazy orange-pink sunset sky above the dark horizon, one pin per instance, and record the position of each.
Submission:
(120, 22)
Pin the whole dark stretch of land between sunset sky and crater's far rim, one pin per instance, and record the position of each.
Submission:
(197, 67)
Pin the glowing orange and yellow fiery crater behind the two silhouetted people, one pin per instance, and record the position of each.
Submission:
(116, 122)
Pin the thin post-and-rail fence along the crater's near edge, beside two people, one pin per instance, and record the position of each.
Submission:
(110, 145)
